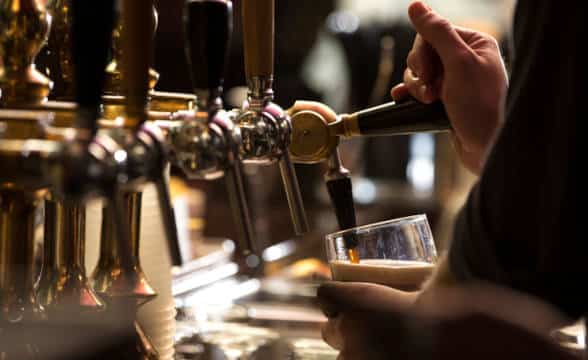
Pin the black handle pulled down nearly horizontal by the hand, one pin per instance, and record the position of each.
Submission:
(405, 117)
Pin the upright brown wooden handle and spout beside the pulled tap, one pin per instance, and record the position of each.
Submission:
(258, 38)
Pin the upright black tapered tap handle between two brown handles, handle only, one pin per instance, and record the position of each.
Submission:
(208, 26)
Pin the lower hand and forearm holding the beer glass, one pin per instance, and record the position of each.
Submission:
(367, 321)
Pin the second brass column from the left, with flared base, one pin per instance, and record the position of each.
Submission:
(63, 287)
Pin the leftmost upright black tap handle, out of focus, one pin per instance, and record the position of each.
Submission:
(91, 31)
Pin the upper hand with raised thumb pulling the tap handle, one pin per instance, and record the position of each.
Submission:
(464, 69)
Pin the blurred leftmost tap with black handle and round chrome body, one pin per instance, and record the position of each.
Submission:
(91, 164)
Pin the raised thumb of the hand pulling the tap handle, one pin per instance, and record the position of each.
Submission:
(436, 30)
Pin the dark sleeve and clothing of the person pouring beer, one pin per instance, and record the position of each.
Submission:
(520, 225)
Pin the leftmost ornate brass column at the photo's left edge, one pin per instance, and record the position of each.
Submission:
(23, 152)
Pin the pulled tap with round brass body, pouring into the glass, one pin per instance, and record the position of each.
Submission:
(315, 140)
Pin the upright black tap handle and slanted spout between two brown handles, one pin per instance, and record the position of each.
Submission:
(208, 29)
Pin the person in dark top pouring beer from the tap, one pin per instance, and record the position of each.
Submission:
(515, 267)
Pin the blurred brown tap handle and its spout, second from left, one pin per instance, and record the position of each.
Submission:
(137, 47)
